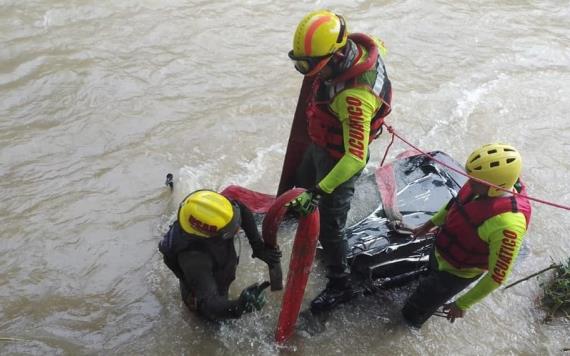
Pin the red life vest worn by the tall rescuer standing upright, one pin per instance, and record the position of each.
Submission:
(324, 128)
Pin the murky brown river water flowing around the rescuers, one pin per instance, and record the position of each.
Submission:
(100, 99)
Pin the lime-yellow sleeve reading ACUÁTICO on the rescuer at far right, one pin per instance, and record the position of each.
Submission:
(504, 234)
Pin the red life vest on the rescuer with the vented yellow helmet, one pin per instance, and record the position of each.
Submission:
(458, 241)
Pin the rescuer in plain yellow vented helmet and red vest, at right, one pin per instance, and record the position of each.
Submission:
(480, 235)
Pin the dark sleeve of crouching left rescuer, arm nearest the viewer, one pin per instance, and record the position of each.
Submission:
(198, 276)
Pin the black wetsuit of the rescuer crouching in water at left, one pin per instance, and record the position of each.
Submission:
(206, 267)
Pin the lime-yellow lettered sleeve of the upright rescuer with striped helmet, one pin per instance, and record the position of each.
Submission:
(355, 108)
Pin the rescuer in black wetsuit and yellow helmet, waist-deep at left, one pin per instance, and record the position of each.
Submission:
(199, 249)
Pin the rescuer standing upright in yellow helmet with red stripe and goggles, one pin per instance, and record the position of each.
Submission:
(350, 97)
